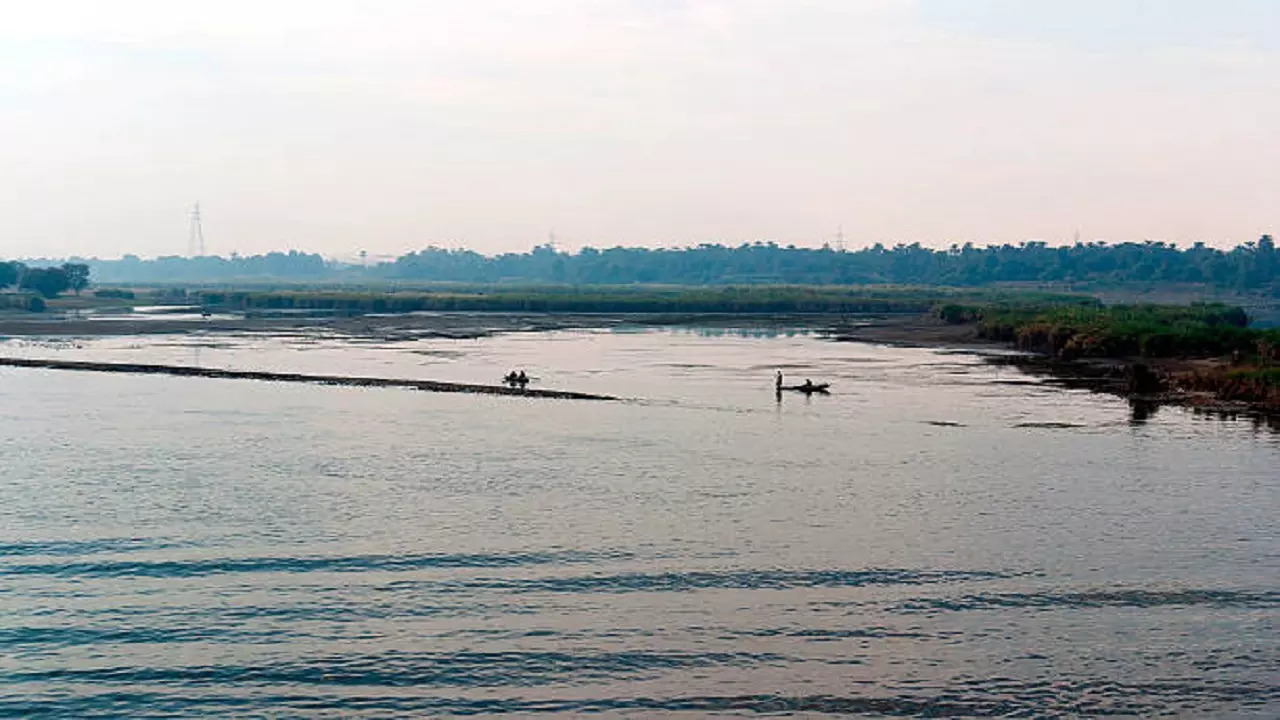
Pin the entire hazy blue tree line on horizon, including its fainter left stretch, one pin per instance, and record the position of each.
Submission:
(1251, 267)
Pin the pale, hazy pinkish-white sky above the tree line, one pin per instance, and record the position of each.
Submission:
(336, 126)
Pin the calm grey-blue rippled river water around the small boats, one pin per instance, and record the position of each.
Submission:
(938, 537)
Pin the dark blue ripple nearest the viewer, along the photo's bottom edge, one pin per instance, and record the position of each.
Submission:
(1002, 699)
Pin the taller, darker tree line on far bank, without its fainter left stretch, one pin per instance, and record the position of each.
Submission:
(1251, 267)
